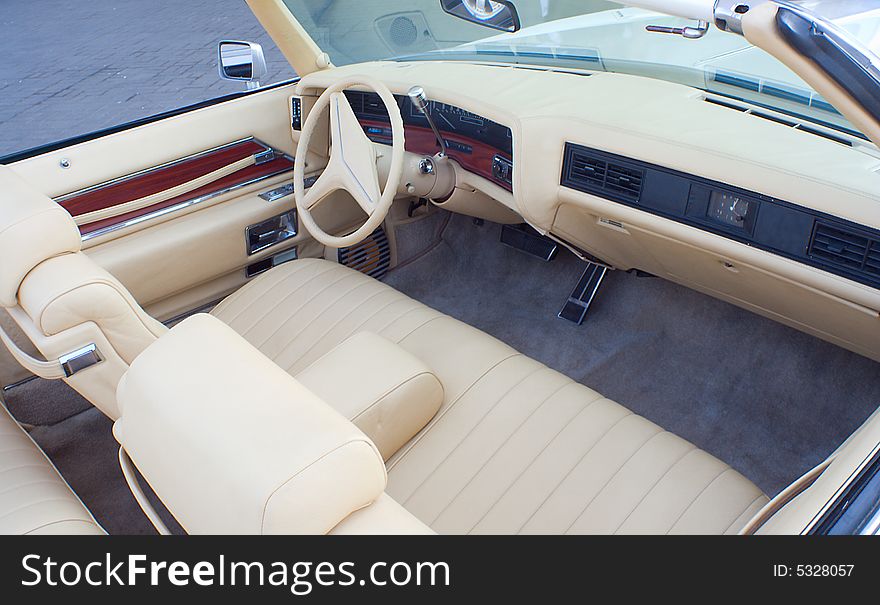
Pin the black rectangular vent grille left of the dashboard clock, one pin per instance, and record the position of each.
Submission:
(590, 172)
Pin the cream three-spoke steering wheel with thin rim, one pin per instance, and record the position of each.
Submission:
(352, 165)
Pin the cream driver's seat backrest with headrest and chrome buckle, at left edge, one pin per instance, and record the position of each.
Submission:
(62, 300)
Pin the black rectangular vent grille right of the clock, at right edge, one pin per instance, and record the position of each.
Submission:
(846, 249)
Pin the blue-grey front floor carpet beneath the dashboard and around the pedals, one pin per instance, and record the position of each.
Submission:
(767, 399)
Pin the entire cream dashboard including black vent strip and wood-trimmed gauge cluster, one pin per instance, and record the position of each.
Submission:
(714, 194)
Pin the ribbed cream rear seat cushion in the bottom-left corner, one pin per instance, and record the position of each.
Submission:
(34, 499)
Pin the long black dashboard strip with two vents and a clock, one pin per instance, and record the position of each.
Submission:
(801, 234)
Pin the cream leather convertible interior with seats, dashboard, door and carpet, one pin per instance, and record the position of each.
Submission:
(444, 296)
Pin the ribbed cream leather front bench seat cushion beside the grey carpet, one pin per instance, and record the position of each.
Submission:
(516, 447)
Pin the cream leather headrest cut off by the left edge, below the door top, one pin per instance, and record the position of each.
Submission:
(33, 228)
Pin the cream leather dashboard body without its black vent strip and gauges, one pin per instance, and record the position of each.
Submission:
(674, 127)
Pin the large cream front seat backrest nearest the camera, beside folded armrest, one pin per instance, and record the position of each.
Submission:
(231, 443)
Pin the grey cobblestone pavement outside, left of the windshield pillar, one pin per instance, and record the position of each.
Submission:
(75, 67)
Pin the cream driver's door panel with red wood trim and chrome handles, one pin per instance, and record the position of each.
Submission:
(182, 254)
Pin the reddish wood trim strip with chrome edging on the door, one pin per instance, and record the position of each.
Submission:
(163, 177)
